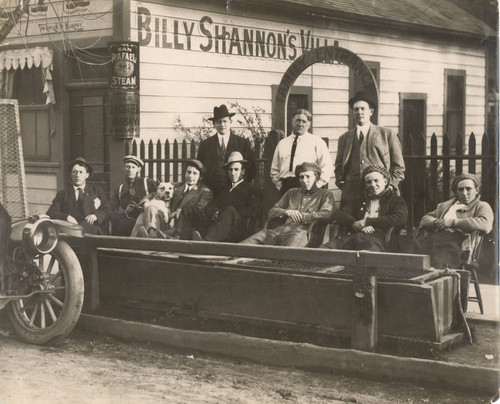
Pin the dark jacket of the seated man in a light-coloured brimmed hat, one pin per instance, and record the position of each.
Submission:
(243, 198)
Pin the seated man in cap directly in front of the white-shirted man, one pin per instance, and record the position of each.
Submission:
(296, 210)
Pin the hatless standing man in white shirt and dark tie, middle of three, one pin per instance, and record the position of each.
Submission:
(300, 147)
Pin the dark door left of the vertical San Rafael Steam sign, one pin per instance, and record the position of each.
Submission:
(89, 138)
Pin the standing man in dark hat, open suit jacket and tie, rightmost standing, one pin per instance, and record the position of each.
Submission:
(366, 145)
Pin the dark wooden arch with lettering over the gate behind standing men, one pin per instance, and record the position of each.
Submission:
(320, 55)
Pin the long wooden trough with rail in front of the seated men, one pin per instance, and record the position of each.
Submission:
(363, 295)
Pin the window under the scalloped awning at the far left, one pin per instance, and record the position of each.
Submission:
(27, 87)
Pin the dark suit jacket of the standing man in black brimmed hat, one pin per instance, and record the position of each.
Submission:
(208, 155)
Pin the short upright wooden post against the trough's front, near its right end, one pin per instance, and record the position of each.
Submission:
(364, 330)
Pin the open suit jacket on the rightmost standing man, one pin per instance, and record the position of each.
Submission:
(382, 148)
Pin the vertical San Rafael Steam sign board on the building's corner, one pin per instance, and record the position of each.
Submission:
(124, 89)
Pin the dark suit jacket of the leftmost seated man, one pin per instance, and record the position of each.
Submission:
(65, 204)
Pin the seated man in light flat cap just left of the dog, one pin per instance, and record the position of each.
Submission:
(126, 197)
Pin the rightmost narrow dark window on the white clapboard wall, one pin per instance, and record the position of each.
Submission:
(454, 104)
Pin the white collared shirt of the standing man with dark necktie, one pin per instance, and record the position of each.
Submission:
(310, 148)
